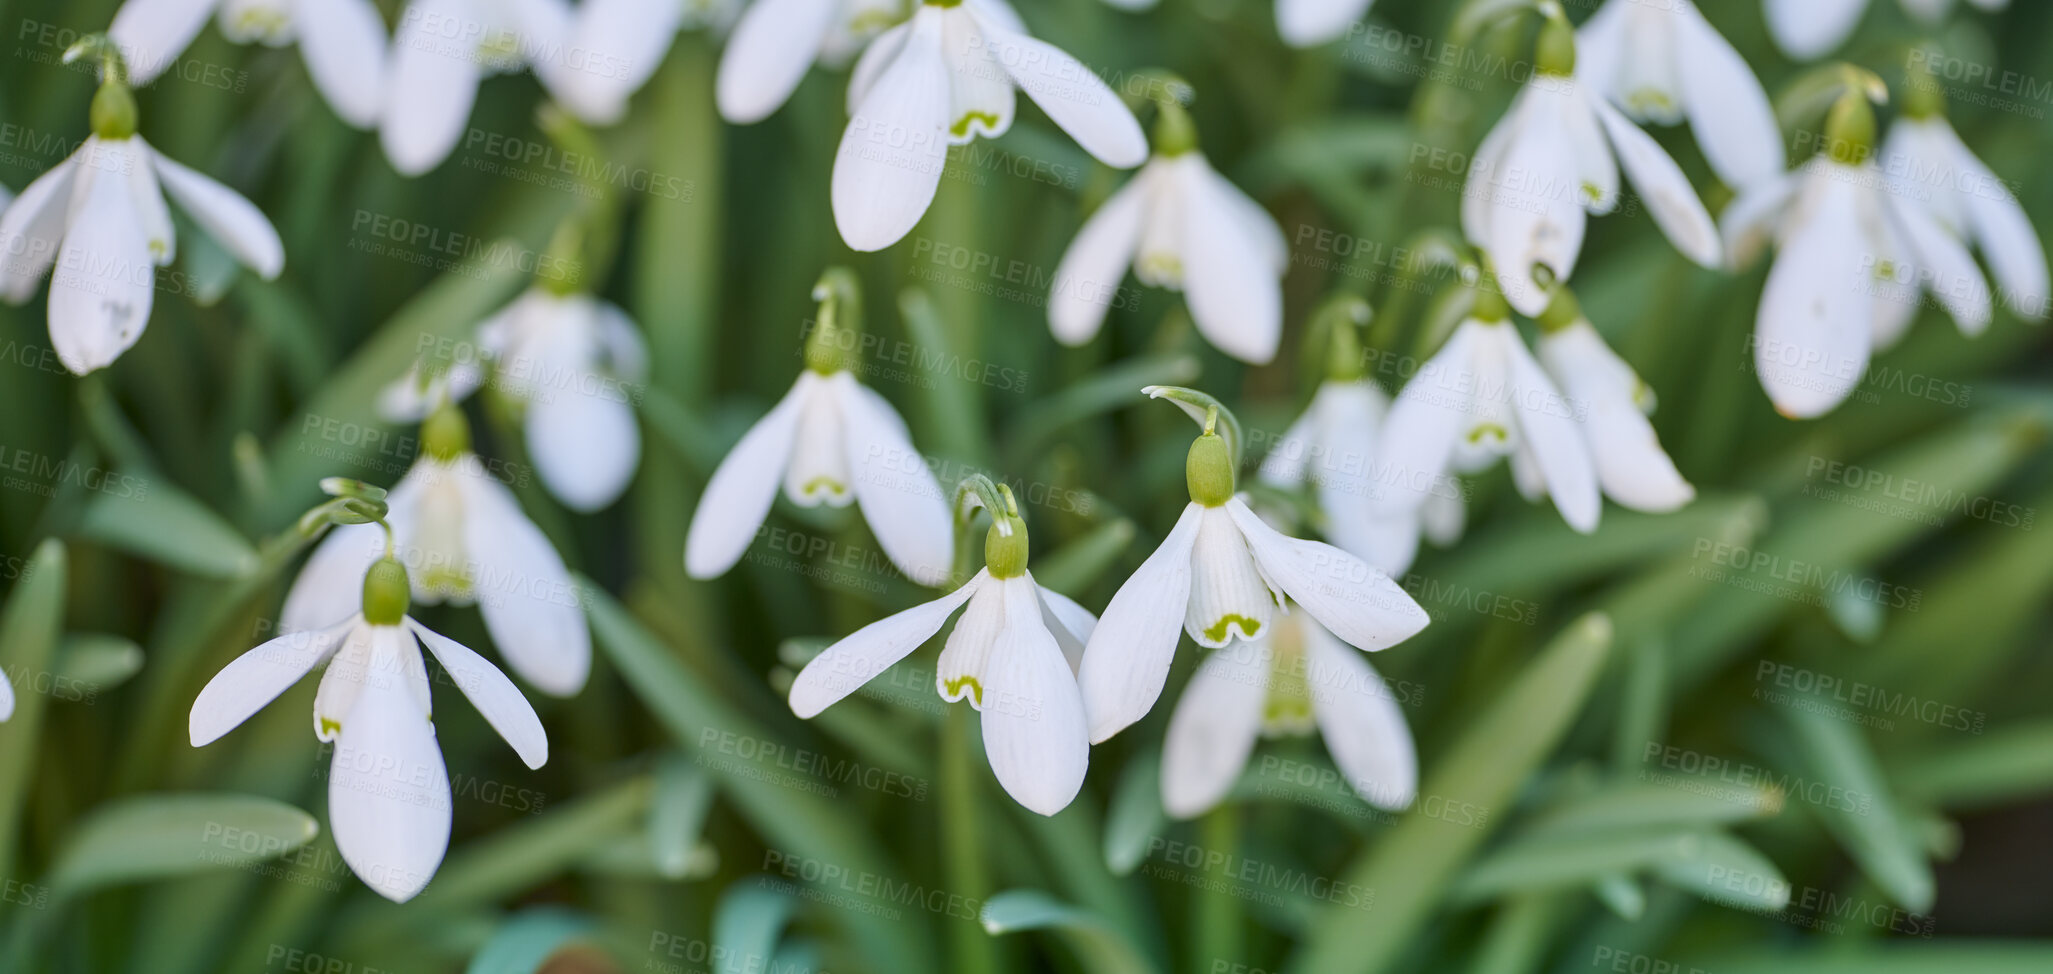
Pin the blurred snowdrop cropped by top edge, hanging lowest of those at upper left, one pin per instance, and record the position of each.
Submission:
(440, 54)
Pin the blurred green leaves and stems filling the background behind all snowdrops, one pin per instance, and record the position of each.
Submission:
(1639, 792)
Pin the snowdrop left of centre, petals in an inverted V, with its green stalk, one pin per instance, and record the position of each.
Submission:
(830, 441)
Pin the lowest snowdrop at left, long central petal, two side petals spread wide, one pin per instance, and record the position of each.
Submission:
(389, 790)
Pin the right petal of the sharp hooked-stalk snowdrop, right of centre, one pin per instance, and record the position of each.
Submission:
(1346, 595)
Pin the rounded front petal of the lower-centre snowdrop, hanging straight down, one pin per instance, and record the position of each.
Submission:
(1034, 714)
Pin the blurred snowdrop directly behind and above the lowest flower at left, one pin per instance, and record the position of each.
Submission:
(467, 541)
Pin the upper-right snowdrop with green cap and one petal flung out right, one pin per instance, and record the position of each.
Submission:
(1551, 159)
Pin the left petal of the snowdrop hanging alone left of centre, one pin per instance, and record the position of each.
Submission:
(740, 494)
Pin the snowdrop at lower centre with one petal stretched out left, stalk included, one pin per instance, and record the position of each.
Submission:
(1013, 657)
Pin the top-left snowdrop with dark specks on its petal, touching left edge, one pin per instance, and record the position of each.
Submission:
(100, 217)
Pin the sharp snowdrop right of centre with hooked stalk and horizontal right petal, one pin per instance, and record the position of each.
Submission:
(1225, 574)
